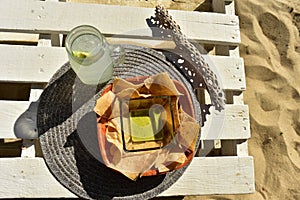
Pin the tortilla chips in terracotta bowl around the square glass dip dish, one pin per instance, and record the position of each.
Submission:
(176, 148)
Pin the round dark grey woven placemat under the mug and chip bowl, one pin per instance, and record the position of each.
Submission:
(68, 134)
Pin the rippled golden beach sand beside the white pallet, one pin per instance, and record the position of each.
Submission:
(271, 51)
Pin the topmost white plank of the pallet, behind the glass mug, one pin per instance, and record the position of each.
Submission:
(49, 17)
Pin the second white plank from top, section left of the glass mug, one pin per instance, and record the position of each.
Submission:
(30, 63)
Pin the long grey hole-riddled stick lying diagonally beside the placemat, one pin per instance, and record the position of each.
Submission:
(198, 70)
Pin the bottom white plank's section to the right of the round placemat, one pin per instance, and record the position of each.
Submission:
(215, 175)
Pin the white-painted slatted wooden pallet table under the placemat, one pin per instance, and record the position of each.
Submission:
(31, 51)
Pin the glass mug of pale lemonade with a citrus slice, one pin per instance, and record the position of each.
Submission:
(90, 55)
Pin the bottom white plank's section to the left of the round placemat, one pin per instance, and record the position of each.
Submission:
(28, 178)
